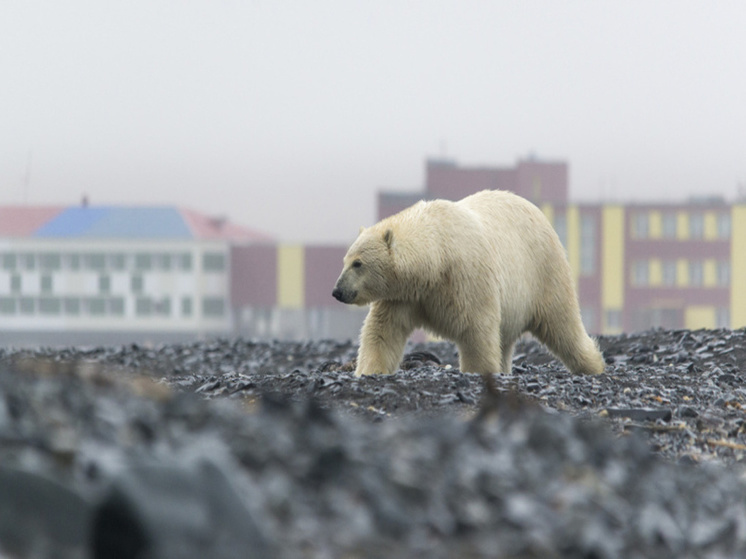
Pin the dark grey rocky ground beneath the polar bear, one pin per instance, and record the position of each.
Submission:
(232, 448)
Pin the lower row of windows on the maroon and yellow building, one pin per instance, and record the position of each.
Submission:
(670, 273)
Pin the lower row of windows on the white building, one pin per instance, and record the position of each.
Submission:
(212, 307)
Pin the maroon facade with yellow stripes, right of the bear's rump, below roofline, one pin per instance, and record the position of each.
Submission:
(671, 266)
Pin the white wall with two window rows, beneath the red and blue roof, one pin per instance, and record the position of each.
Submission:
(115, 286)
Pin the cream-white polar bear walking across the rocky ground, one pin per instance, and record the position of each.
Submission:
(480, 272)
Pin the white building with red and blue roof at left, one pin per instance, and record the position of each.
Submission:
(92, 275)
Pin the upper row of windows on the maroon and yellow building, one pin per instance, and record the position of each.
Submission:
(681, 225)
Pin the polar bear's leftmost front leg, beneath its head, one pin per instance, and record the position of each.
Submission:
(382, 339)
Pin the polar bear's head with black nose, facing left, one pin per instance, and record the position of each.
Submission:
(367, 268)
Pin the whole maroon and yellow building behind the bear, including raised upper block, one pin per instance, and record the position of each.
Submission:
(636, 266)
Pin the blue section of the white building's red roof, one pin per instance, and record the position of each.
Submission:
(117, 223)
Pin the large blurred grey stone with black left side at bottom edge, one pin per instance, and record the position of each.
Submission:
(175, 512)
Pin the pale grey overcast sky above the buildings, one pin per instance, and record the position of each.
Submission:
(288, 116)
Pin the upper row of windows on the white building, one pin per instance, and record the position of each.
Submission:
(113, 261)
